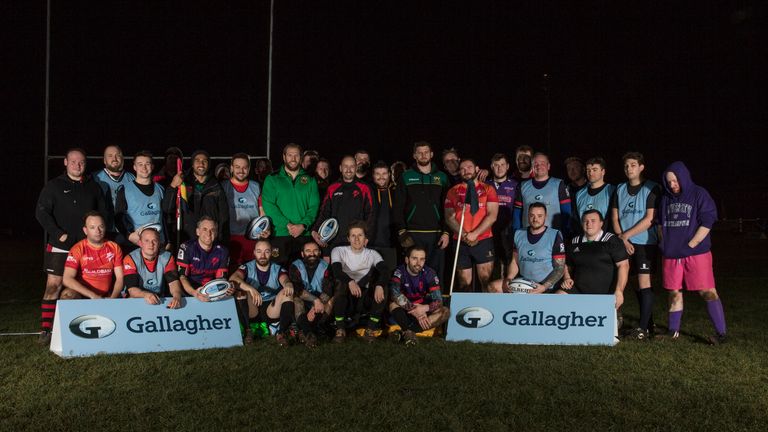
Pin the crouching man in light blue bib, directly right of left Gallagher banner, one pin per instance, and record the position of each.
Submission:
(268, 292)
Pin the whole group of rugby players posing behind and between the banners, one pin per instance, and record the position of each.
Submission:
(113, 234)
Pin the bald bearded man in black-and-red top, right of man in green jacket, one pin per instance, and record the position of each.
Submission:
(349, 199)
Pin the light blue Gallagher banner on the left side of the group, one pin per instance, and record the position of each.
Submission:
(108, 326)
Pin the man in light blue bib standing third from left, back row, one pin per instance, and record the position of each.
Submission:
(139, 202)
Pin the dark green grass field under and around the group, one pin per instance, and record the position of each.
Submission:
(683, 385)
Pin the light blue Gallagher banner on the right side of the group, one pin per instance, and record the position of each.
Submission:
(546, 319)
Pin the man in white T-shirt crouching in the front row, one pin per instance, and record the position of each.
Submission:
(361, 276)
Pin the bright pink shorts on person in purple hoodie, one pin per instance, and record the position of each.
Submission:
(695, 271)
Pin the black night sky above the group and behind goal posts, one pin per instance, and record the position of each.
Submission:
(675, 80)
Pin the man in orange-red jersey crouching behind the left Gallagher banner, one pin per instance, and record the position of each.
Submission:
(94, 267)
